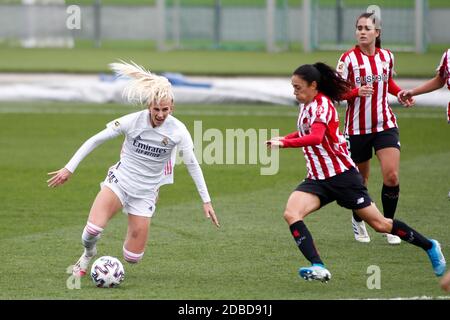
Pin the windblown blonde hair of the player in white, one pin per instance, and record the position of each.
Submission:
(144, 87)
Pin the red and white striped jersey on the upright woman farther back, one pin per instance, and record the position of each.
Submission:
(368, 114)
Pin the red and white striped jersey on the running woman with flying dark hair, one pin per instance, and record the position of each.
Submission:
(331, 156)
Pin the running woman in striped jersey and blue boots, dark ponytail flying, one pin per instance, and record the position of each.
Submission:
(332, 175)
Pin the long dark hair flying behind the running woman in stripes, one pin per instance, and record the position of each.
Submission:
(329, 82)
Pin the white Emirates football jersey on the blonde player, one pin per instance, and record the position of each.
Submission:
(146, 151)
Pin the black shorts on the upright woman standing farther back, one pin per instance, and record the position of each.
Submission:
(360, 146)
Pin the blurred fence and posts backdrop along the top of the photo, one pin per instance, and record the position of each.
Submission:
(272, 25)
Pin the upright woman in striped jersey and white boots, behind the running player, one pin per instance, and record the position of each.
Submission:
(369, 120)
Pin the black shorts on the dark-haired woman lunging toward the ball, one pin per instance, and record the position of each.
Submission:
(346, 188)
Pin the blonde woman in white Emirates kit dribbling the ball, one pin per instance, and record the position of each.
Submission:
(132, 184)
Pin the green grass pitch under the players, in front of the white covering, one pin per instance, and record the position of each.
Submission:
(252, 256)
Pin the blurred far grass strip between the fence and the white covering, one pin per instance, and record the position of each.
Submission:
(233, 63)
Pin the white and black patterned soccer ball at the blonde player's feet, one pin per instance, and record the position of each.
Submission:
(107, 272)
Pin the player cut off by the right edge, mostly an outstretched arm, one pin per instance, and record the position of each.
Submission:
(442, 77)
